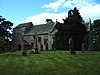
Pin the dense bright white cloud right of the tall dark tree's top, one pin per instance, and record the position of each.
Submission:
(90, 11)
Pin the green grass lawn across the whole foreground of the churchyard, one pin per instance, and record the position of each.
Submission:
(50, 63)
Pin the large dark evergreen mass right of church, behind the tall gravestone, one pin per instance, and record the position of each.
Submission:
(73, 27)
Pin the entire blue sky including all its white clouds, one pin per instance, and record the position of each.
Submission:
(37, 11)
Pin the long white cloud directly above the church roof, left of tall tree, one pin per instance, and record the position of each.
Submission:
(41, 18)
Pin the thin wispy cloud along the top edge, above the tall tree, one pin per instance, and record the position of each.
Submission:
(68, 4)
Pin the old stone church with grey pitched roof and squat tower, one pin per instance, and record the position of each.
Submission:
(27, 36)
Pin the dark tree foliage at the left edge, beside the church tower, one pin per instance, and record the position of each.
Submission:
(5, 31)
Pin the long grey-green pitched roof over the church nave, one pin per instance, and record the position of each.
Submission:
(40, 29)
